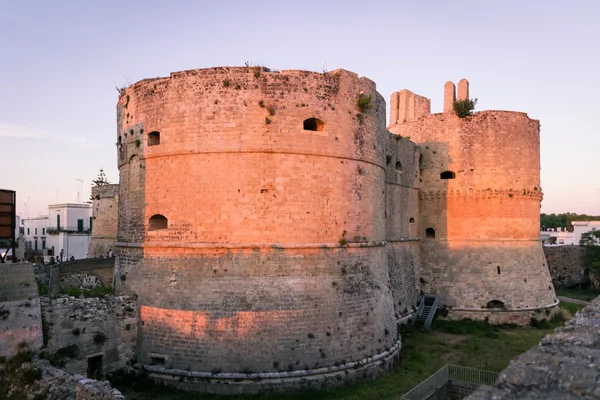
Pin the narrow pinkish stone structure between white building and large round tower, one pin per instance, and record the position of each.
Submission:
(105, 205)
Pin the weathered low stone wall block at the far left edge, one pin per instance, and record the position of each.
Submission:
(20, 317)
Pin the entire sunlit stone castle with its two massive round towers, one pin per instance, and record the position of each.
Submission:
(275, 231)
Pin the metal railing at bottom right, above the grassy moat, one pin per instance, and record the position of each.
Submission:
(447, 374)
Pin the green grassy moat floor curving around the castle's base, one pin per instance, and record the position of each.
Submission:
(466, 343)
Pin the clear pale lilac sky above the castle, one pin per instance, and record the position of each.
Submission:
(61, 61)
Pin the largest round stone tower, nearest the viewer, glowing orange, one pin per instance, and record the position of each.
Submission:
(250, 227)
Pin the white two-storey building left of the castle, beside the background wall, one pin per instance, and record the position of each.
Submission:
(69, 230)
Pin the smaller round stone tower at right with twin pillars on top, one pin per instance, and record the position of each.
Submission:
(480, 202)
